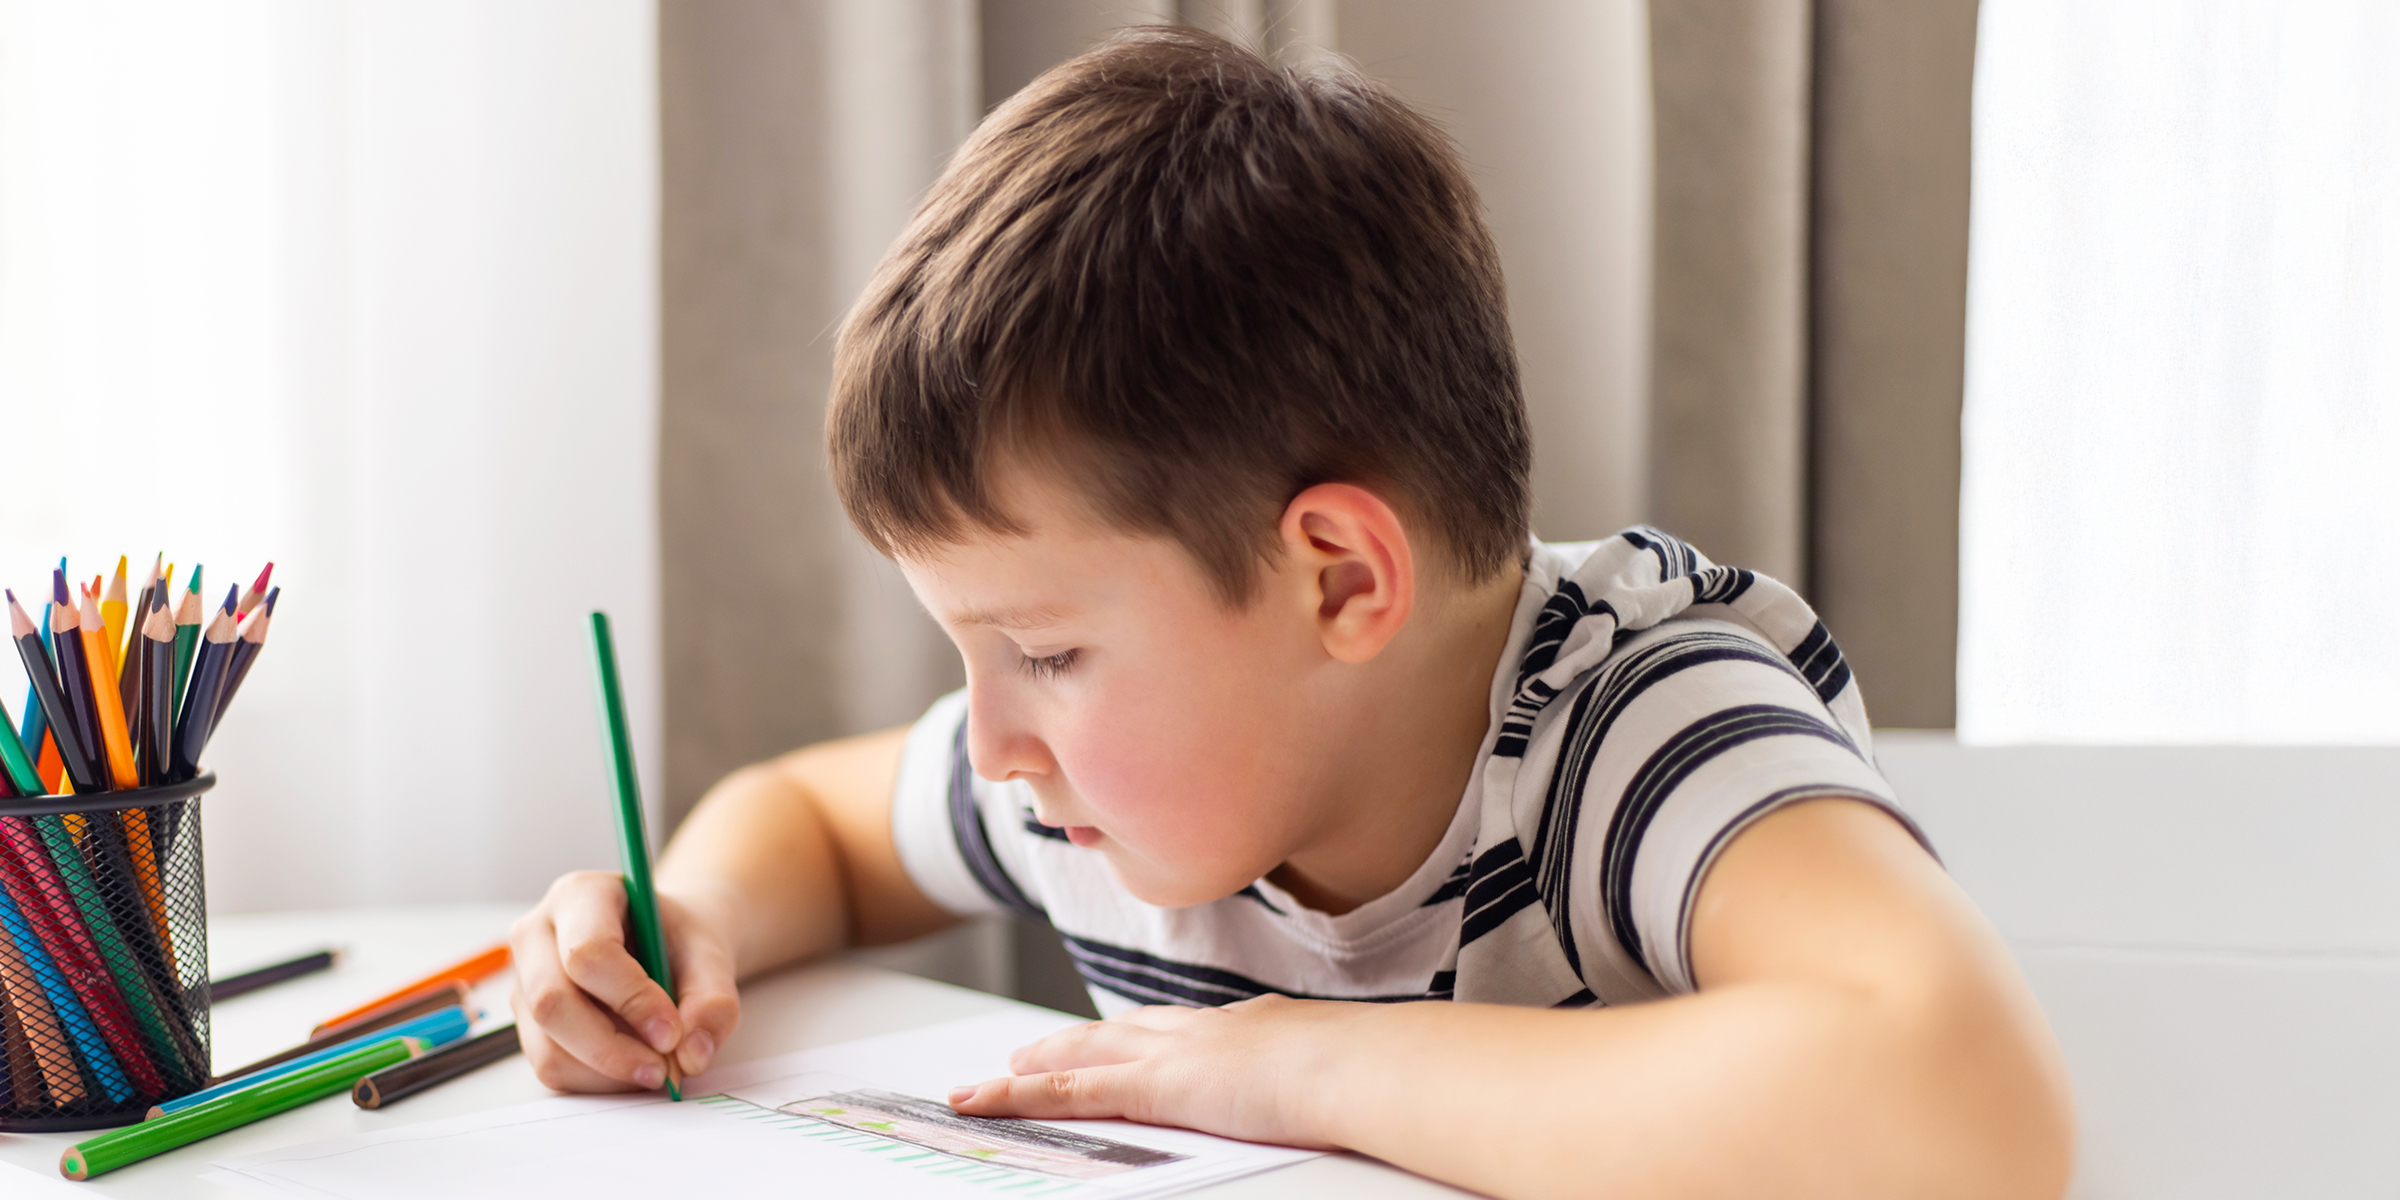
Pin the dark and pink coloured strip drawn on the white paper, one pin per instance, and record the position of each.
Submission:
(995, 1141)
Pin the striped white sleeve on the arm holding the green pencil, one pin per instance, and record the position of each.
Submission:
(956, 834)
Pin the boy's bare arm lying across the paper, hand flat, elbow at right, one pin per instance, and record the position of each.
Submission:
(1859, 1033)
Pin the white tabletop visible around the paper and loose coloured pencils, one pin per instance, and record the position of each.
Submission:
(810, 1007)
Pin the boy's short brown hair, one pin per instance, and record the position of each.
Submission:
(1199, 284)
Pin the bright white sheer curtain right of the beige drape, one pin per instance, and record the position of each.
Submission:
(2183, 424)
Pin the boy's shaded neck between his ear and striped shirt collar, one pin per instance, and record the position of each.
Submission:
(1422, 712)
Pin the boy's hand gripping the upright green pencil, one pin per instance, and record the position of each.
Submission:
(589, 1016)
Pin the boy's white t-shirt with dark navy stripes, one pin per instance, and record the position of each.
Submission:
(1645, 712)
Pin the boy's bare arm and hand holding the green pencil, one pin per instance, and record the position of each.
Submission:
(781, 860)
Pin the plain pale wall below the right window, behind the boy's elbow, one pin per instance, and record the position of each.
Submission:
(2216, 940)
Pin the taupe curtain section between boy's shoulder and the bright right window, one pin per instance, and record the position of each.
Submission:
(1811, 313)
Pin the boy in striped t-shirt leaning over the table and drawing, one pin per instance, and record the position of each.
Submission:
(1187, 404)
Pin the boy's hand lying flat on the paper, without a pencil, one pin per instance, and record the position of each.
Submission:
(1252, 1069)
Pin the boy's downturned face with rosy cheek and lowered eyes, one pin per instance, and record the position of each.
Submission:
(1153, 724)
